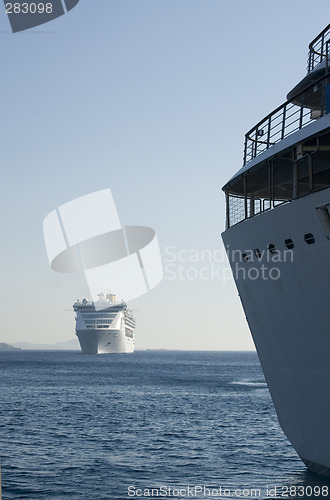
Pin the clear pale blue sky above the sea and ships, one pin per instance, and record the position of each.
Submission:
(151, 98)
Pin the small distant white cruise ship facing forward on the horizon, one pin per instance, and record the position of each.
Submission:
(105, 326)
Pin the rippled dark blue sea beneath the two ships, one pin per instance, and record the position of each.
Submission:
(153, 424)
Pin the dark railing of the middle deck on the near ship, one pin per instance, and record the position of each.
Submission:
(308, 105)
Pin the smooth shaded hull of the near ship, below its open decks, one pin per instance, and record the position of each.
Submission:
(289, 317)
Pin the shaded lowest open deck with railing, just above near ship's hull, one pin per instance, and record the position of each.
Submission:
(280, 180)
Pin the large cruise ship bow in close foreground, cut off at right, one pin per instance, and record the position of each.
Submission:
(277, 238)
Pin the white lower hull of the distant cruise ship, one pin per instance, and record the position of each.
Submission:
(101, 341)
